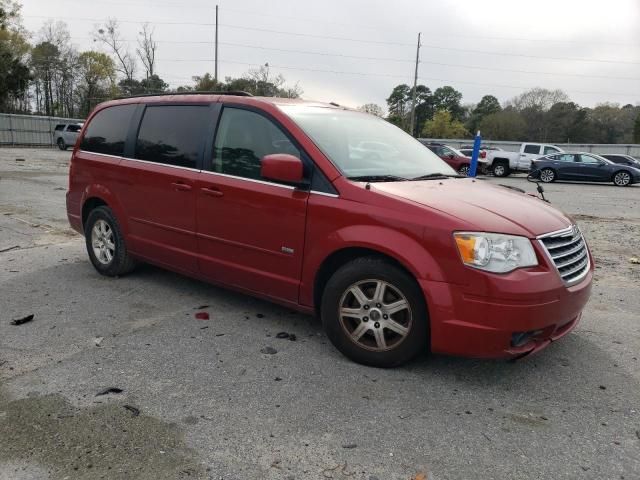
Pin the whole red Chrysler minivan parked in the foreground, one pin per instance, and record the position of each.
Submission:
(278, 198)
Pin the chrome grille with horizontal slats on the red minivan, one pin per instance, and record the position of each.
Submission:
(568, 252)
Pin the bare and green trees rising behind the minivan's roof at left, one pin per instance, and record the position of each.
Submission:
(48, 76)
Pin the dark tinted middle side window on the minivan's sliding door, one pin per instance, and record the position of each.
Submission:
(173, 134)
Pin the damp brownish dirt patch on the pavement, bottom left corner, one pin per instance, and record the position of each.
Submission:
(105, 441)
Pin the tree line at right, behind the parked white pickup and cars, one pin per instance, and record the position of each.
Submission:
(537, 114)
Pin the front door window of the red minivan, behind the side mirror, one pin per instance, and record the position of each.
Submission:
(243, 138)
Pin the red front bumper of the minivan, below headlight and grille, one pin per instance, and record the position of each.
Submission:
(466, 324)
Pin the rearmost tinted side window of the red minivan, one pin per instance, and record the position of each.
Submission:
(107, 131)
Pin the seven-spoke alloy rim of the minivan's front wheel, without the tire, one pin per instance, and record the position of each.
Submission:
(375, 314)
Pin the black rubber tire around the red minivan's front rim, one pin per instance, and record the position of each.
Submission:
(401, 348)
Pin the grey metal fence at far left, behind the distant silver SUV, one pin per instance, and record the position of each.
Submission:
(29, 130)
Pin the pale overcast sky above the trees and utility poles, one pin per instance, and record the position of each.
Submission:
(363, 48)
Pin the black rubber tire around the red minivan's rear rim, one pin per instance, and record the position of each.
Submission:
(120, 262)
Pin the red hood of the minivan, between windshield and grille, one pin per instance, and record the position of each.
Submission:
(481, 206)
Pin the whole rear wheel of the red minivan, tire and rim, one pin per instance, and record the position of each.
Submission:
(105, 243)
